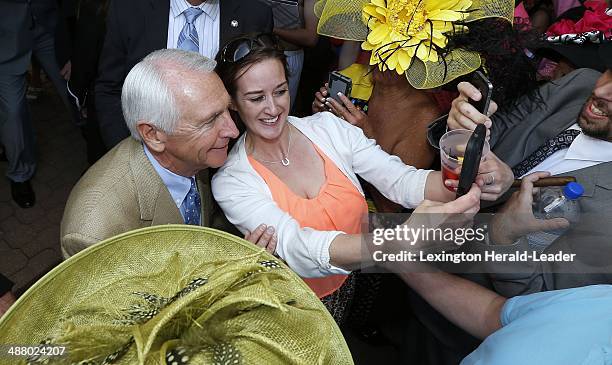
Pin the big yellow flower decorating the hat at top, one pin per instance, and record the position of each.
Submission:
(403, 29)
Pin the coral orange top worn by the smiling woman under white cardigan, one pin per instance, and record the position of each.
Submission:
(339, 206)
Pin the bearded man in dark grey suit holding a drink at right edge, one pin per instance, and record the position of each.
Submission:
(580, 102)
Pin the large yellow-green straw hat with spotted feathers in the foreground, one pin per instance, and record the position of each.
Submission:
(174, 294)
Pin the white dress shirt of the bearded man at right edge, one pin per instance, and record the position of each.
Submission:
(584, 152)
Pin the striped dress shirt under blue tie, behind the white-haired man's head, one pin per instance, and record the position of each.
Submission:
(207, 25)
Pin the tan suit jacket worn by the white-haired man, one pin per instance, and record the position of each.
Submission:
(123, 192)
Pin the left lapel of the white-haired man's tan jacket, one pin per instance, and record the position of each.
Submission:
(154, 200)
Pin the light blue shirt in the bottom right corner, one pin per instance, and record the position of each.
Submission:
(560, 327)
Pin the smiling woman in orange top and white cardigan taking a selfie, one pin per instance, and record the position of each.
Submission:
(299, 175)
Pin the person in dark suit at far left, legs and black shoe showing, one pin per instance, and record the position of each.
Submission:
(27, 28)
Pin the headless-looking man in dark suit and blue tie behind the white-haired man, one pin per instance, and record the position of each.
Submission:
(136, 28)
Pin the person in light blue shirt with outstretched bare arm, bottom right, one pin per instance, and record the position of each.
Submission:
(569, 326)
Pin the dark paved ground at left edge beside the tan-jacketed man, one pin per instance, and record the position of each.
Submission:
(29, 238)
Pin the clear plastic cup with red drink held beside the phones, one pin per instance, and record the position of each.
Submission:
(452, 150)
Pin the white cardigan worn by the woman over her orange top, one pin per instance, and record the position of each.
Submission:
(247, 201)
